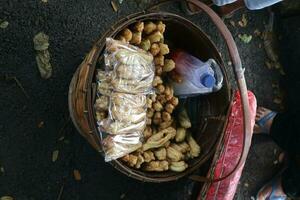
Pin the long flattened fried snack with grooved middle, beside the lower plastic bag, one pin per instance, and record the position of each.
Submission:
(159, 139)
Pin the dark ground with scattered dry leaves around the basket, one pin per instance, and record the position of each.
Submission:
(33, 127)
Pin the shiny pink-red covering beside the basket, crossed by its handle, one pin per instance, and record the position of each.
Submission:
(225, 190)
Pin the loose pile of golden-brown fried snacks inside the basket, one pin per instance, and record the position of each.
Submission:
(168, 143)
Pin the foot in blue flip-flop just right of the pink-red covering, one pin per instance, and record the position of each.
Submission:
(264, 119)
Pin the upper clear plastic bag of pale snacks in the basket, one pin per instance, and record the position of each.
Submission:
(132, 68)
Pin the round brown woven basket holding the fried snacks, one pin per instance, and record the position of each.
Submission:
(208, 113)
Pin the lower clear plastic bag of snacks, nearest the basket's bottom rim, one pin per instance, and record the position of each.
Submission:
(124, 125)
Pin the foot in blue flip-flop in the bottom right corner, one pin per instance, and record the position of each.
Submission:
(272, 191)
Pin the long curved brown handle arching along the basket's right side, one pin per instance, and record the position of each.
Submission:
(239, 76)
